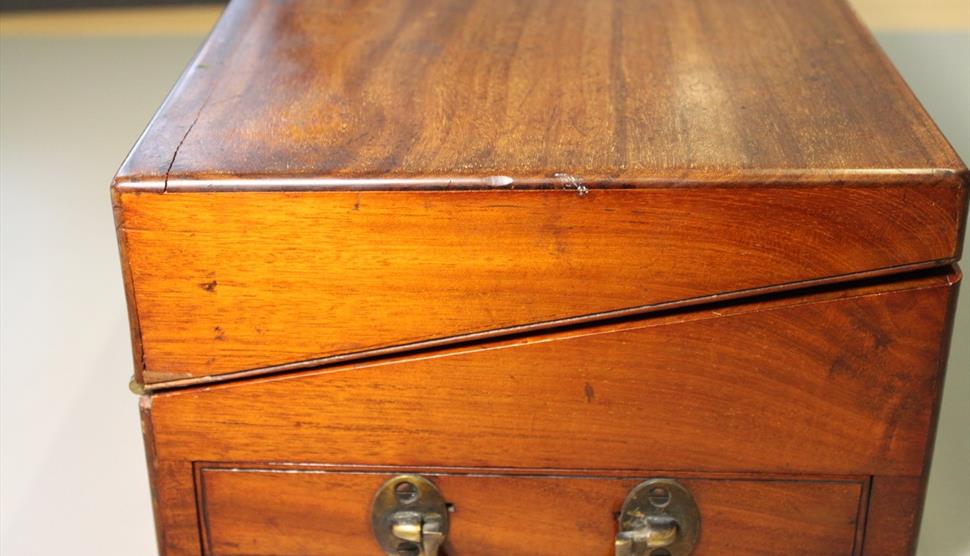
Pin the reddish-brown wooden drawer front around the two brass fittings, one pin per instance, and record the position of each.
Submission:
(314, 512)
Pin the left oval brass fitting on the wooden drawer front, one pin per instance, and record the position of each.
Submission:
(409, 517)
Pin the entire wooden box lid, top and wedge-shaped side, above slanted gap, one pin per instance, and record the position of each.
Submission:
(332, 179)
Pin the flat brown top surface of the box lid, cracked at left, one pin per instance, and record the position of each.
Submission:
(613, 90)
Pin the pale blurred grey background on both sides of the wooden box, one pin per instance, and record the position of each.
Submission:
(75, 91)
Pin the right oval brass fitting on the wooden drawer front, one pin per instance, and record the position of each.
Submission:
(659, 518)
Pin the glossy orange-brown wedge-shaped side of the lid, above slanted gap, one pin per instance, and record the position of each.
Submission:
(221, 284)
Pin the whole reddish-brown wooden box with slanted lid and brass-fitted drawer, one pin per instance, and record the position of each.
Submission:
(643, 278)
